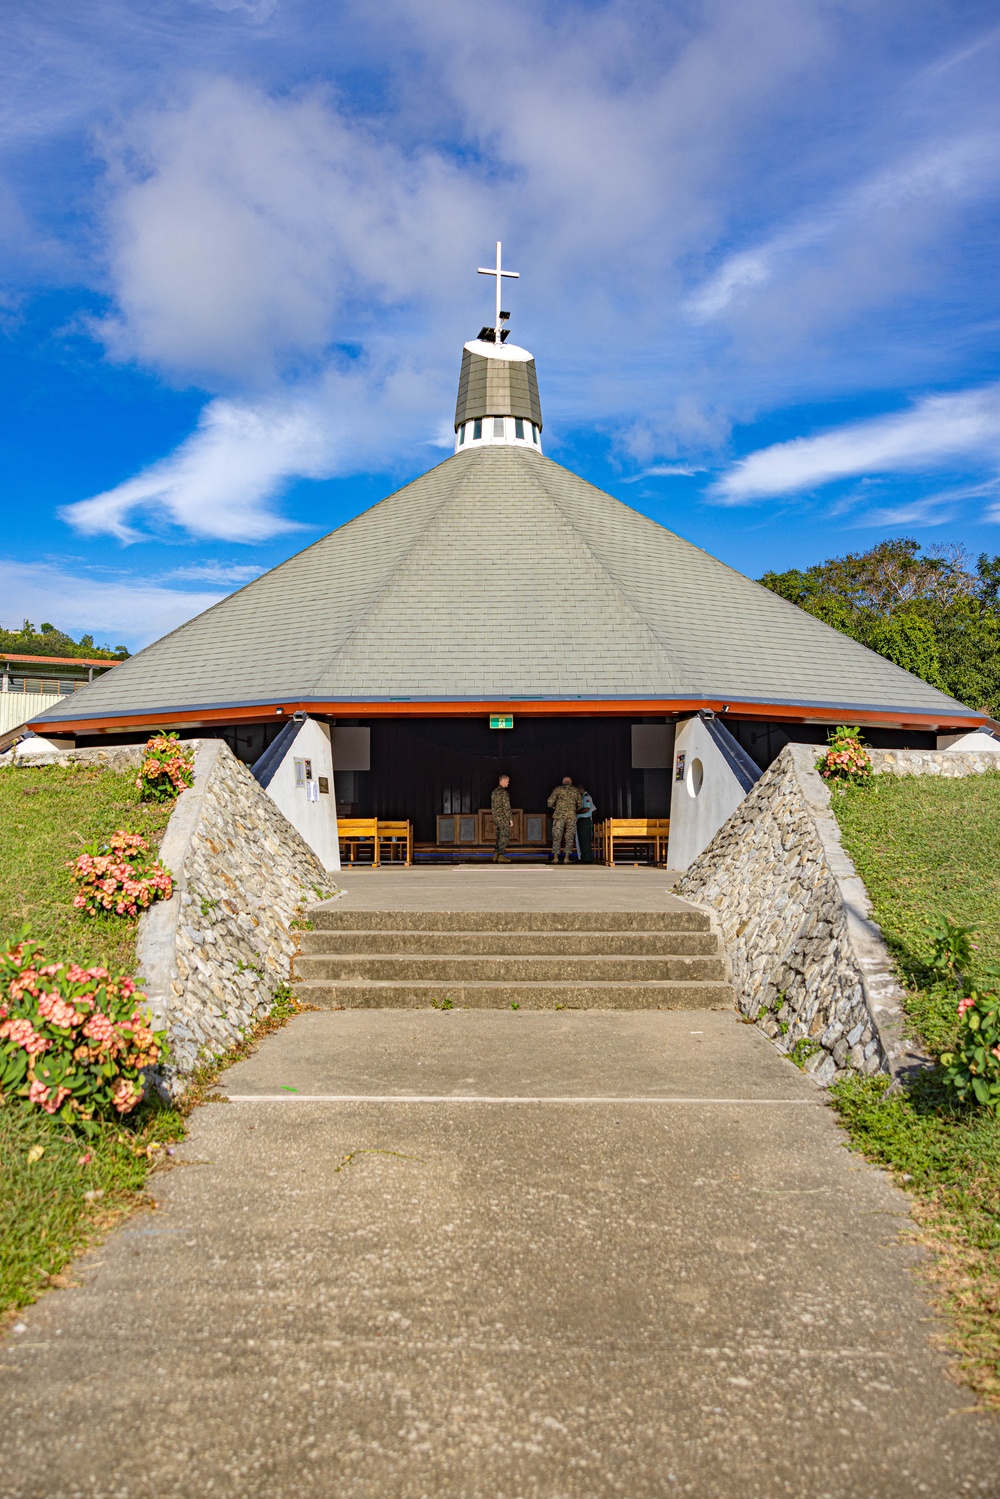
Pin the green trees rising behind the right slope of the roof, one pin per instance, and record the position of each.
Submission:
(932, 612)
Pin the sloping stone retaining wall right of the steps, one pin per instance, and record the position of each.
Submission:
(809, 963)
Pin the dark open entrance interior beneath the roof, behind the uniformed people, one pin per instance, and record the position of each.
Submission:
(434, 771)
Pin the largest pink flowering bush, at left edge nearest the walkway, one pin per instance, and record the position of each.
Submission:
(73, 1041)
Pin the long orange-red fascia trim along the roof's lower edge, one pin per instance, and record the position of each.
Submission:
(660, 708)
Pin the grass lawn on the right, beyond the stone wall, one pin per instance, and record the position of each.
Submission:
(929, 848)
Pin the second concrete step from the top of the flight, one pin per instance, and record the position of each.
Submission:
(515, 945)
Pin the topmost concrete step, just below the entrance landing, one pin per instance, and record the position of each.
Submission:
(340, 918)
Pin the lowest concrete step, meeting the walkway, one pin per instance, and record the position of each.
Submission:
(412, 995)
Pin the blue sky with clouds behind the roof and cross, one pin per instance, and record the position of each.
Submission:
(756, 239)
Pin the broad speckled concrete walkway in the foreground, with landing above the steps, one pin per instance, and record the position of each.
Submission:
(500, 1255)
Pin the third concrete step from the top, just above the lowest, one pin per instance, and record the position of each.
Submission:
(503, 969)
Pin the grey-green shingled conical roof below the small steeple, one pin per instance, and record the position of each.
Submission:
(501, 576)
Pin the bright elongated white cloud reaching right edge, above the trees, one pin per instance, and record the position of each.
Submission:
(935, 431)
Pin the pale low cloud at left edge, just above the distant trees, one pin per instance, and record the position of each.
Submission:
(113, 609)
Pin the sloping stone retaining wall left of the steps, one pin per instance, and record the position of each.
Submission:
(212, 957)
